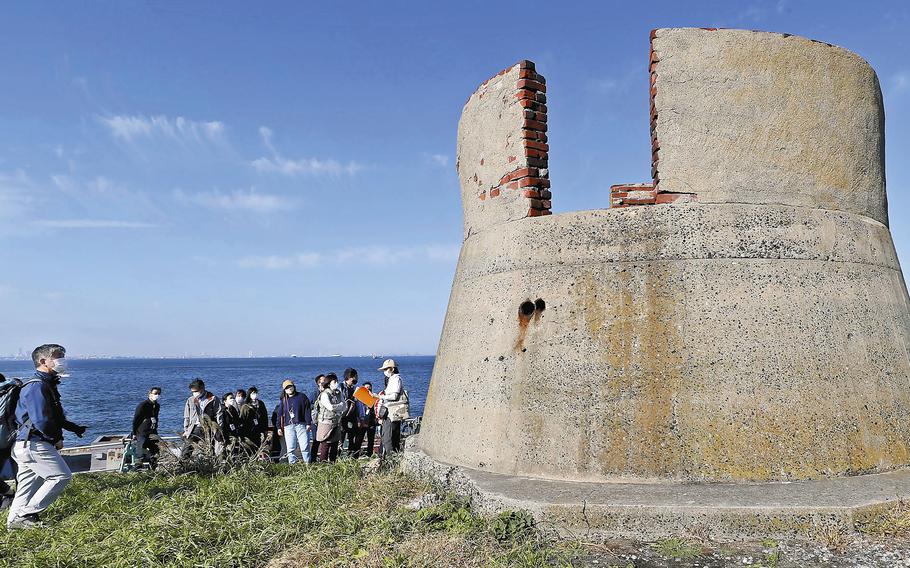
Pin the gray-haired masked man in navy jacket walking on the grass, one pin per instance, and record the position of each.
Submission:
(42, 475)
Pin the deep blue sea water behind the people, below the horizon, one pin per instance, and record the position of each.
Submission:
(102, 394)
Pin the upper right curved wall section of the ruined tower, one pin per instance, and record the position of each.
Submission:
(747, 117)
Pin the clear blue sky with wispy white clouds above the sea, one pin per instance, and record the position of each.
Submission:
(223, 177)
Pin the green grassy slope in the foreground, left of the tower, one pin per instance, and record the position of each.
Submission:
(275, 516)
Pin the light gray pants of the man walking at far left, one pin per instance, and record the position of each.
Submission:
(42, 477)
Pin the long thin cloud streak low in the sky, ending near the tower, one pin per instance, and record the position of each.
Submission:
(369, 255)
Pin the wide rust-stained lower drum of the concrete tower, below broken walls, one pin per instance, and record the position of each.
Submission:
(720, 342)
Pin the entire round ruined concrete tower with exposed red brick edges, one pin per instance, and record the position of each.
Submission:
(740, 318)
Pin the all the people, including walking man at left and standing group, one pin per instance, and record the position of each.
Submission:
(301, 428)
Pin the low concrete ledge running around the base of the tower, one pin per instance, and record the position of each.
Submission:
(650, 511)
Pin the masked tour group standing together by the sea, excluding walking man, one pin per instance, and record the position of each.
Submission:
(304, 428)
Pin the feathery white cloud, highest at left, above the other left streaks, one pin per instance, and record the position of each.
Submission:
(130, 128)
